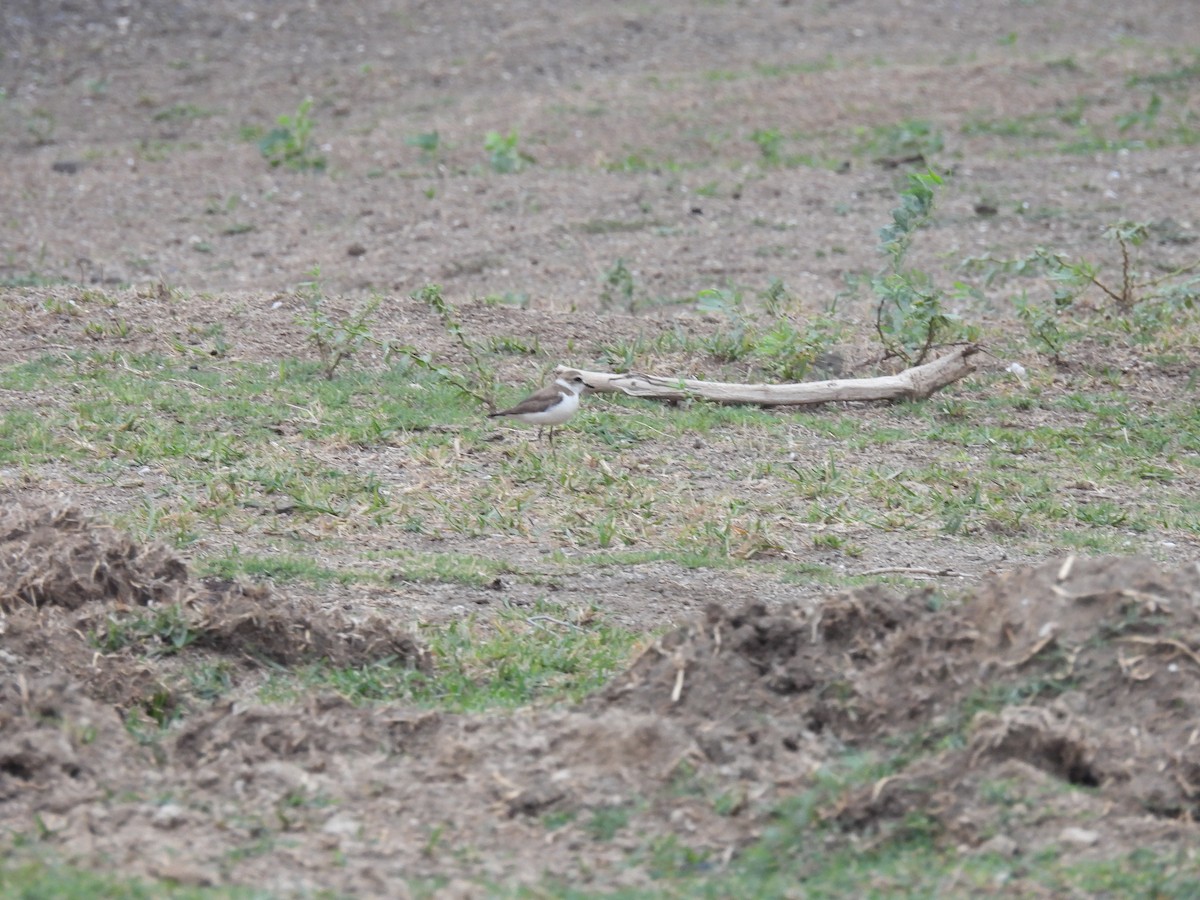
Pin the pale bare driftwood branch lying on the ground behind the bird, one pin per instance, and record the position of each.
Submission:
(917, 383)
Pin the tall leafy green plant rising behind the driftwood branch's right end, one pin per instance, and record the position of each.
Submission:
(911, 317)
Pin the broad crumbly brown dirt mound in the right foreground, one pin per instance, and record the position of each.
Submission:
(1084, 671)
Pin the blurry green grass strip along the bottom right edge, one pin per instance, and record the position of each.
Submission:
(905, 857)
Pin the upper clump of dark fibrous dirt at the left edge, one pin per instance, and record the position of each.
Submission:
(52, 556)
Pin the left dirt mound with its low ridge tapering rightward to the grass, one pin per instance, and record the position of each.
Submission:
(83, 599)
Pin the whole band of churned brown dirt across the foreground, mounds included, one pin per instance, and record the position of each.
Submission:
(712, 727)
